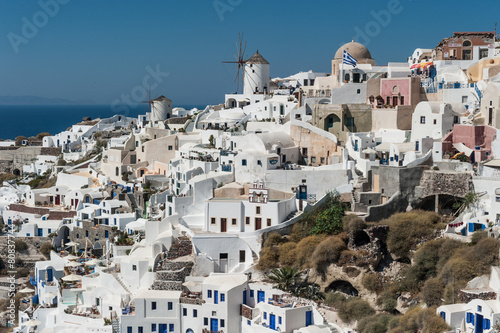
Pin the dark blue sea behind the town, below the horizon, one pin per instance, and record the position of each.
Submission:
(30, 120)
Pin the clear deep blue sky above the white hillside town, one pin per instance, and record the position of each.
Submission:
(98, 50)
